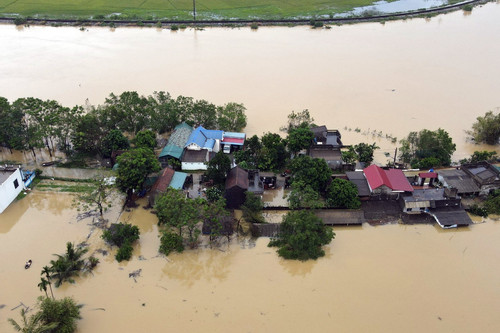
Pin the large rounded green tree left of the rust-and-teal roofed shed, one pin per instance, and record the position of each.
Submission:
(133, 168)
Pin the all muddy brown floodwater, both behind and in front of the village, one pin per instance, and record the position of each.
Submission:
(394, 78)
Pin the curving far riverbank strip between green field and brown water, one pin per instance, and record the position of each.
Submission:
(316, 20)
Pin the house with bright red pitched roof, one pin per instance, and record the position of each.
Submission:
(389, 181)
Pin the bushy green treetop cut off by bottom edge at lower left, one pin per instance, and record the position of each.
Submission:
(64, 312)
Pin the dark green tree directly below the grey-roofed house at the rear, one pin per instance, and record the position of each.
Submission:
(312, 171)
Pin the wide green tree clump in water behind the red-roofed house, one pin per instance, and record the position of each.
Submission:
(426, 143)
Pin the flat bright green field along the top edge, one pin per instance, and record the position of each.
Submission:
(177, 9)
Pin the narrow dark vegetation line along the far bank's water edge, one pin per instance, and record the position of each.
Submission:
(353, 19)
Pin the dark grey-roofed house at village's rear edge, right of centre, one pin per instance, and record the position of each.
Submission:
(326, 145)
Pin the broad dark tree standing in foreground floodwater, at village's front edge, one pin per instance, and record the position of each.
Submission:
(301, 236)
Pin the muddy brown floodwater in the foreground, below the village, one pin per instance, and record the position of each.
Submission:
(395, 278)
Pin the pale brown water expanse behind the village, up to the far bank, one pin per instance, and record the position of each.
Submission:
(389, 78)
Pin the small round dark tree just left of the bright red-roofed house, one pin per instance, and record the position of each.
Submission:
(342, 193)
